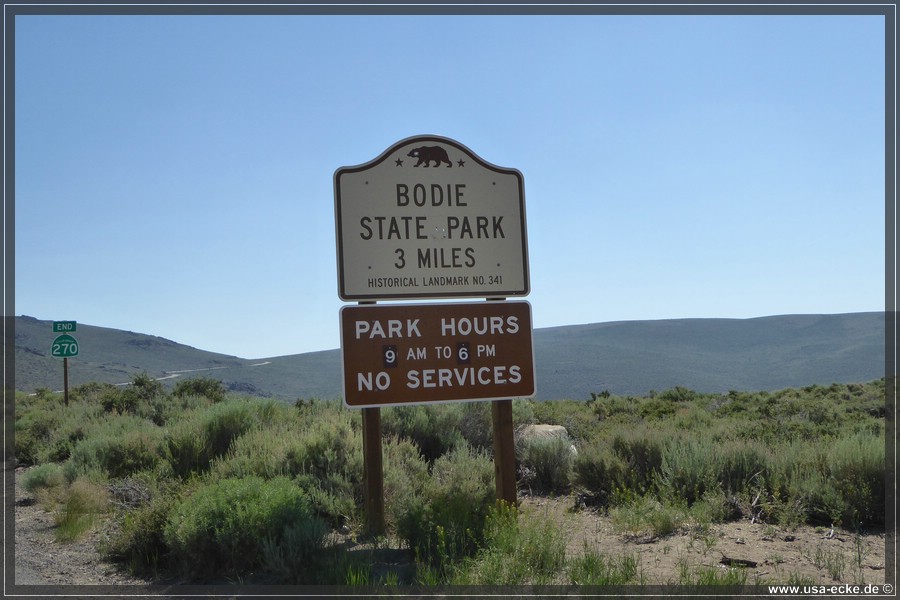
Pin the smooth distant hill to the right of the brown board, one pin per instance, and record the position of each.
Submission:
(710, 355)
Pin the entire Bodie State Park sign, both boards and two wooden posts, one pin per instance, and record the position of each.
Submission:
(428, 218)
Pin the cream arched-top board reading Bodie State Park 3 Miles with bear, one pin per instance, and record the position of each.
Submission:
(430, 219)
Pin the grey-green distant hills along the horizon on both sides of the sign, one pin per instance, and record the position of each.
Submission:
(625, 357)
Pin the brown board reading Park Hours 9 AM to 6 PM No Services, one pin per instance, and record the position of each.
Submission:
(413, 354)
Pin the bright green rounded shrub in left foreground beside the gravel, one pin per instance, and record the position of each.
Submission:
(222, 527)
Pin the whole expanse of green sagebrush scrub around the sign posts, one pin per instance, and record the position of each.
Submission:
(805, 456)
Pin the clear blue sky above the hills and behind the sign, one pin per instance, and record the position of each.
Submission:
(174, 174)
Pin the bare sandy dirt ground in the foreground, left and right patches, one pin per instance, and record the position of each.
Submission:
(769, 554)
